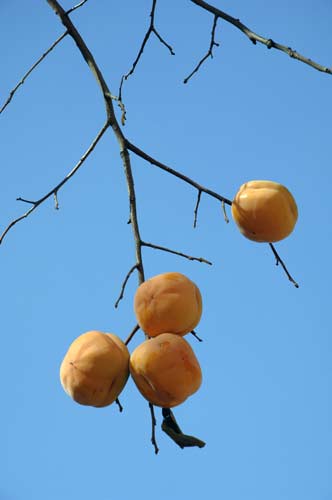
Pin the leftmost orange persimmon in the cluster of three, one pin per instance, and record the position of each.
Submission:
(95, 369)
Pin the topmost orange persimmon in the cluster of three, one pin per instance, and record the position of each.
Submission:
(168, 302)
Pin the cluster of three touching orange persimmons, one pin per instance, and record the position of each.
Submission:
(164, 367)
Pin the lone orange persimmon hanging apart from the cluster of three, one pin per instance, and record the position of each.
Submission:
(264, 211)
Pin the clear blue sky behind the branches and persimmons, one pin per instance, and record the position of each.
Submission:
(264, 408)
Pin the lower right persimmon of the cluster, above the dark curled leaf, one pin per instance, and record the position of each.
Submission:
(165, 370)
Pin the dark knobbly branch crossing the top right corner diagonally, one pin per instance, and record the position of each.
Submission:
(254, 37)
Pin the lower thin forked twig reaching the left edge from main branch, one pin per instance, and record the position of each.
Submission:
(53, 191)
